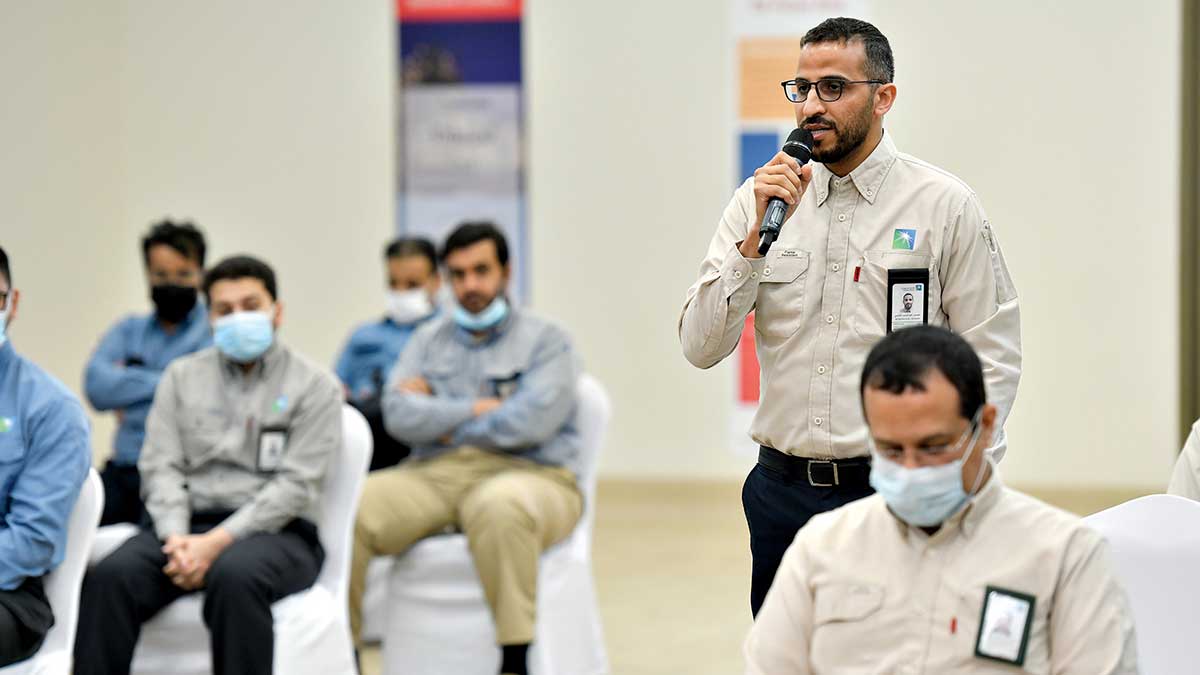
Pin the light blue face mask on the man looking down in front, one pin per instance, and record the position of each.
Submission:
(926, 497)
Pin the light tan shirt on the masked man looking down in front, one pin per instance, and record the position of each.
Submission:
(861, 593)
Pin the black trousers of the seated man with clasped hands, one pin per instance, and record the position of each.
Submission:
(127, 589)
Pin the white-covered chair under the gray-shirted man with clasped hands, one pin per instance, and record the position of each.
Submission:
(313, 634)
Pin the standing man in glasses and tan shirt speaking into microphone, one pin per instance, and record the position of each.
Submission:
(865, 228)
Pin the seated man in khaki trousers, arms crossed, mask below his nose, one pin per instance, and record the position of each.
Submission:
(485, 398)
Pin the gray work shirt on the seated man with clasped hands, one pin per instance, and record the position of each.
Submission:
(213, 440)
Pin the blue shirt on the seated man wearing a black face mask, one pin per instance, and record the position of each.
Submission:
(112, 385)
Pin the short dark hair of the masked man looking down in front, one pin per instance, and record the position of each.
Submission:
(905, 359)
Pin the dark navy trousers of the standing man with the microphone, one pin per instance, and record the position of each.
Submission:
(779, 498)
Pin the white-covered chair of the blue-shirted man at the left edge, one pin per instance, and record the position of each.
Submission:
(63, 587)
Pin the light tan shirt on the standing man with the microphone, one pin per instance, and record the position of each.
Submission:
(820, 295)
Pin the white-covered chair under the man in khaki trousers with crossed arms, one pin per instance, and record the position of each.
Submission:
(437, 620)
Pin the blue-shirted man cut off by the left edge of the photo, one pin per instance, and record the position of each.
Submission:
(45, 456)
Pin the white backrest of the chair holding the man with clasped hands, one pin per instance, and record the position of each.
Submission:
(340, 504)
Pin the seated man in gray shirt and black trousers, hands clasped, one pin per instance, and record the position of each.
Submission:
(238, 444)
